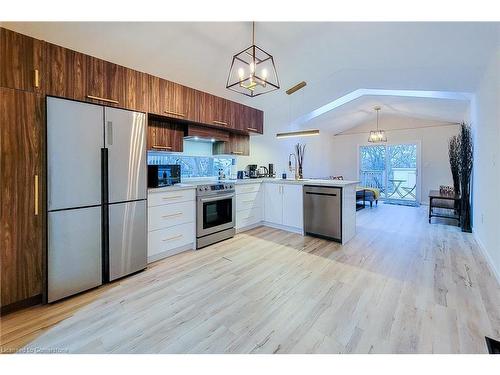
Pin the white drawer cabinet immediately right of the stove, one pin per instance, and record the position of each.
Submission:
(249, 205)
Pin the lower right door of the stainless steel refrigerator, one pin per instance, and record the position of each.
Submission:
(127, 238)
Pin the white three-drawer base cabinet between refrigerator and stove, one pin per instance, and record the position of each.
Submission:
(171, 224)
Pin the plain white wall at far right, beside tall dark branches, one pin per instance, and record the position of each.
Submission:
(485, 118)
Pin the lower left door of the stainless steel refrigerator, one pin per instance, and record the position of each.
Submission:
(74, 251)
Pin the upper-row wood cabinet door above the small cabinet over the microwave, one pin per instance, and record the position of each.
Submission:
(170, 99)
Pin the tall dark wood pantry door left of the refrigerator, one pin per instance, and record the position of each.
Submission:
(22, 206)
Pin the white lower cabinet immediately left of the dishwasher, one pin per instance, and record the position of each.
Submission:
(283, 205)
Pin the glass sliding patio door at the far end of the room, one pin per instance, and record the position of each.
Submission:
(391, 168)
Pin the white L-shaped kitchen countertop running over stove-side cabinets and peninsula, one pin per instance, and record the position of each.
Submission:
(192, 185)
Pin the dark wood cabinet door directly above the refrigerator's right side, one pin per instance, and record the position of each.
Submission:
(106, 83)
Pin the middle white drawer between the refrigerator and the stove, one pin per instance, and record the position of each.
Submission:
(165, 216)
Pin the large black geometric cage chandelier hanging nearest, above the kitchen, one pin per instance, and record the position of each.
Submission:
(252, 71)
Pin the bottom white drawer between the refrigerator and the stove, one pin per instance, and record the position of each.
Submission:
(164, 240)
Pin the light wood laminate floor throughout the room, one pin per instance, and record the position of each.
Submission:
(400, 286)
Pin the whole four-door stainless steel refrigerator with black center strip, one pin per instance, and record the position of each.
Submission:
(96, 195)
